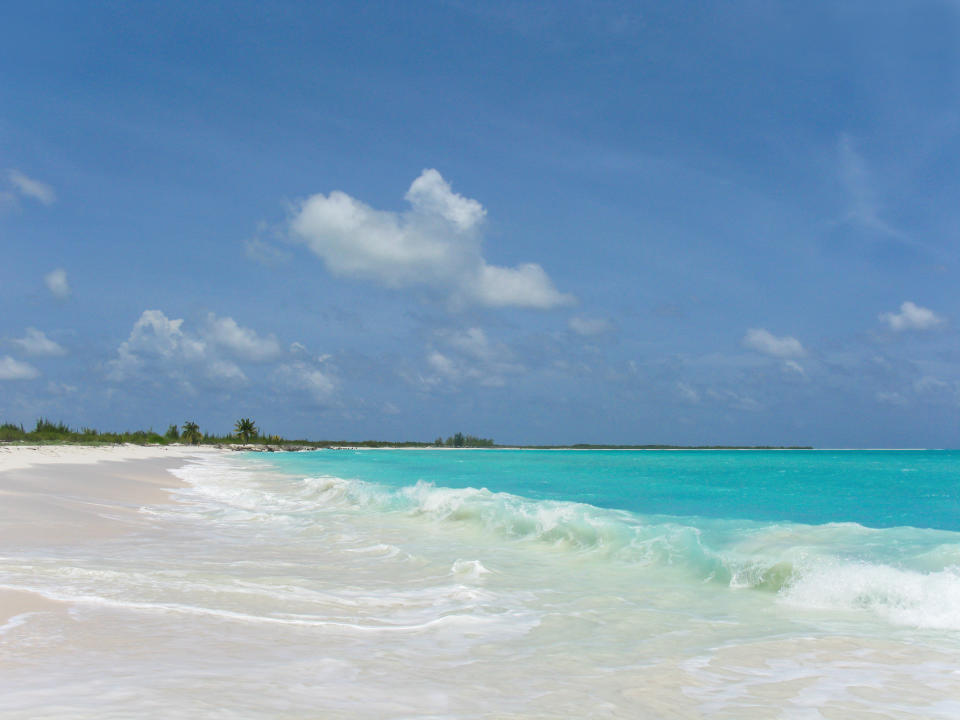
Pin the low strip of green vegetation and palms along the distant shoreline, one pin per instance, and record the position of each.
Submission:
(246, 433)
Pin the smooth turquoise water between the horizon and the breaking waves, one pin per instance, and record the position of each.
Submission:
(915, 488)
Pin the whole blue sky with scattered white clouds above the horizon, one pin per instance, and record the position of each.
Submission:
(605, 222)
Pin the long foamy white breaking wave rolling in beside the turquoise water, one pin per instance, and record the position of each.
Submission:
(804, 565)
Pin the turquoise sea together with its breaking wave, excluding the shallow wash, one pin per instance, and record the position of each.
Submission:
(869, 532)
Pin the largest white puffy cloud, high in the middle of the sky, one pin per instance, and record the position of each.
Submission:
(436, 243)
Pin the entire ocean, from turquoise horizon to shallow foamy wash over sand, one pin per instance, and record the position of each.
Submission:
(514, 584)
